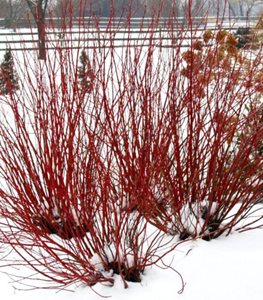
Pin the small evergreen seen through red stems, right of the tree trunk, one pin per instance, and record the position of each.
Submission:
(85, 73)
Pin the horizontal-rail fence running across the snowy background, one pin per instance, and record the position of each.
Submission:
(117, 34)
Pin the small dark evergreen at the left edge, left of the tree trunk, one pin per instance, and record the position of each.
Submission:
(8, 75)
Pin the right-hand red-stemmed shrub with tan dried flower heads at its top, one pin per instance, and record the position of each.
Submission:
(186, 148)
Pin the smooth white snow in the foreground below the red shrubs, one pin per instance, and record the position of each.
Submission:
(226, 268)
